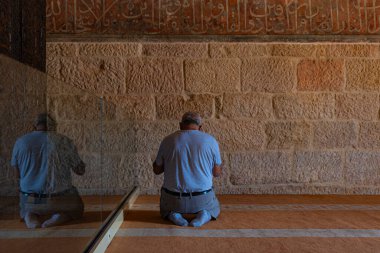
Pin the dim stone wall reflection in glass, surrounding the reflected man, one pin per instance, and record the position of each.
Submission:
(26, 92)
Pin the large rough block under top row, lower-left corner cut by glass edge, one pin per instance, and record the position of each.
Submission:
(95, 75)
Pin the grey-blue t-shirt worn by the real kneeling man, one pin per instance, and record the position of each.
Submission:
(188, 157)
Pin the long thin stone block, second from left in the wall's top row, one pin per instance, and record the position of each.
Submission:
(107, 49)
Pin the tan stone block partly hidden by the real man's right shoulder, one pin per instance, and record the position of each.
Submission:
(237, 135)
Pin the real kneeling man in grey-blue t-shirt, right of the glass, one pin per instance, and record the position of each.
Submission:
(189, 158)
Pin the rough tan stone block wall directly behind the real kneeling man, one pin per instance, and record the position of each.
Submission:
(290, 118)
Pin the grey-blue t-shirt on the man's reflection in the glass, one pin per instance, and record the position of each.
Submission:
(45, 160)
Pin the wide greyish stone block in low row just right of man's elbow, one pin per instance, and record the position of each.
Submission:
(260, 168)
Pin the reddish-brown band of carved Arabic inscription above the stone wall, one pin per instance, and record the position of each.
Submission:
(214, 17)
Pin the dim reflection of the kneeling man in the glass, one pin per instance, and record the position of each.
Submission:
(44, 160)
